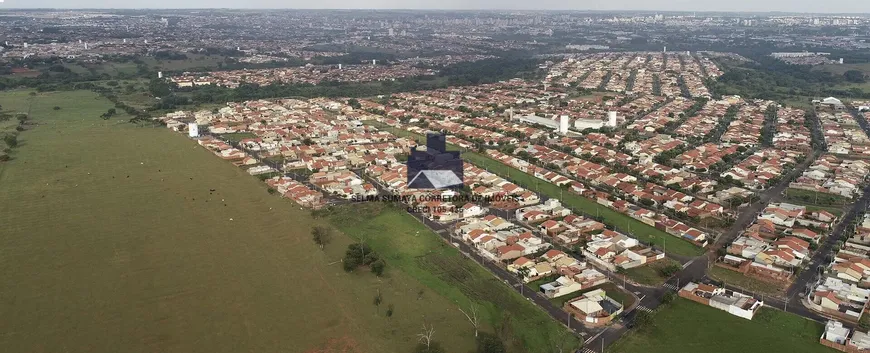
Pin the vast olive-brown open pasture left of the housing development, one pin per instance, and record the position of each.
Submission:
(115, 242)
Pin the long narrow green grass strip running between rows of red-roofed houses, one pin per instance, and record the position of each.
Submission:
(638, 229)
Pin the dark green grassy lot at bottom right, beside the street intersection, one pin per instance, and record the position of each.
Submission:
(687, 327)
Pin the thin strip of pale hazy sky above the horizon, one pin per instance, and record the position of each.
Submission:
(830, 6)
